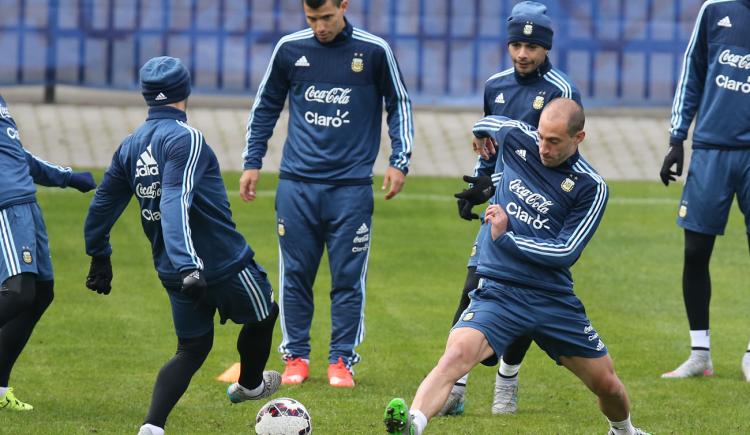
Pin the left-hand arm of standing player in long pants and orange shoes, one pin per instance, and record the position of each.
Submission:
(268, 103)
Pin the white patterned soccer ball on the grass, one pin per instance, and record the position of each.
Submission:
(283, 416)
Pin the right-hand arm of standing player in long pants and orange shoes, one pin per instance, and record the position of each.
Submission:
(400, 122)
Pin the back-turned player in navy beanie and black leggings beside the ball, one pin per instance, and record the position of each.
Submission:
(203, 262)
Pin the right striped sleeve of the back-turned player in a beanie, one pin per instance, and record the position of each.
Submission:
(184, 166)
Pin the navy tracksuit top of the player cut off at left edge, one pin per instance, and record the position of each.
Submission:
(20, 168)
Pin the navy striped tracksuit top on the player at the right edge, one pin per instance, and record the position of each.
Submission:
(714, 85)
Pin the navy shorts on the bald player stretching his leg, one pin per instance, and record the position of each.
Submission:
(556, 321)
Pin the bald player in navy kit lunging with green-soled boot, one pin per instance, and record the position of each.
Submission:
(546, 209)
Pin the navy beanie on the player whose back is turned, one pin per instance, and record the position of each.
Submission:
(164, 80)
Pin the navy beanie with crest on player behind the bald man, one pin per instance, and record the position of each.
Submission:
(528, 22)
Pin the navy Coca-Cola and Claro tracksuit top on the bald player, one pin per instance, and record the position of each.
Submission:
(552, 212)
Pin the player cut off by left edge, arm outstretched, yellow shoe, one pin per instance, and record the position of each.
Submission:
(25, 265)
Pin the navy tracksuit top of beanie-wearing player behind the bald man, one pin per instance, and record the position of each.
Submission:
(522, 98)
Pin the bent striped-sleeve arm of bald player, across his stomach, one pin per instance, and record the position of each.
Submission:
(564, 249)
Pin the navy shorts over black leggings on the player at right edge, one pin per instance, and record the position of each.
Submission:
(713, 179)
